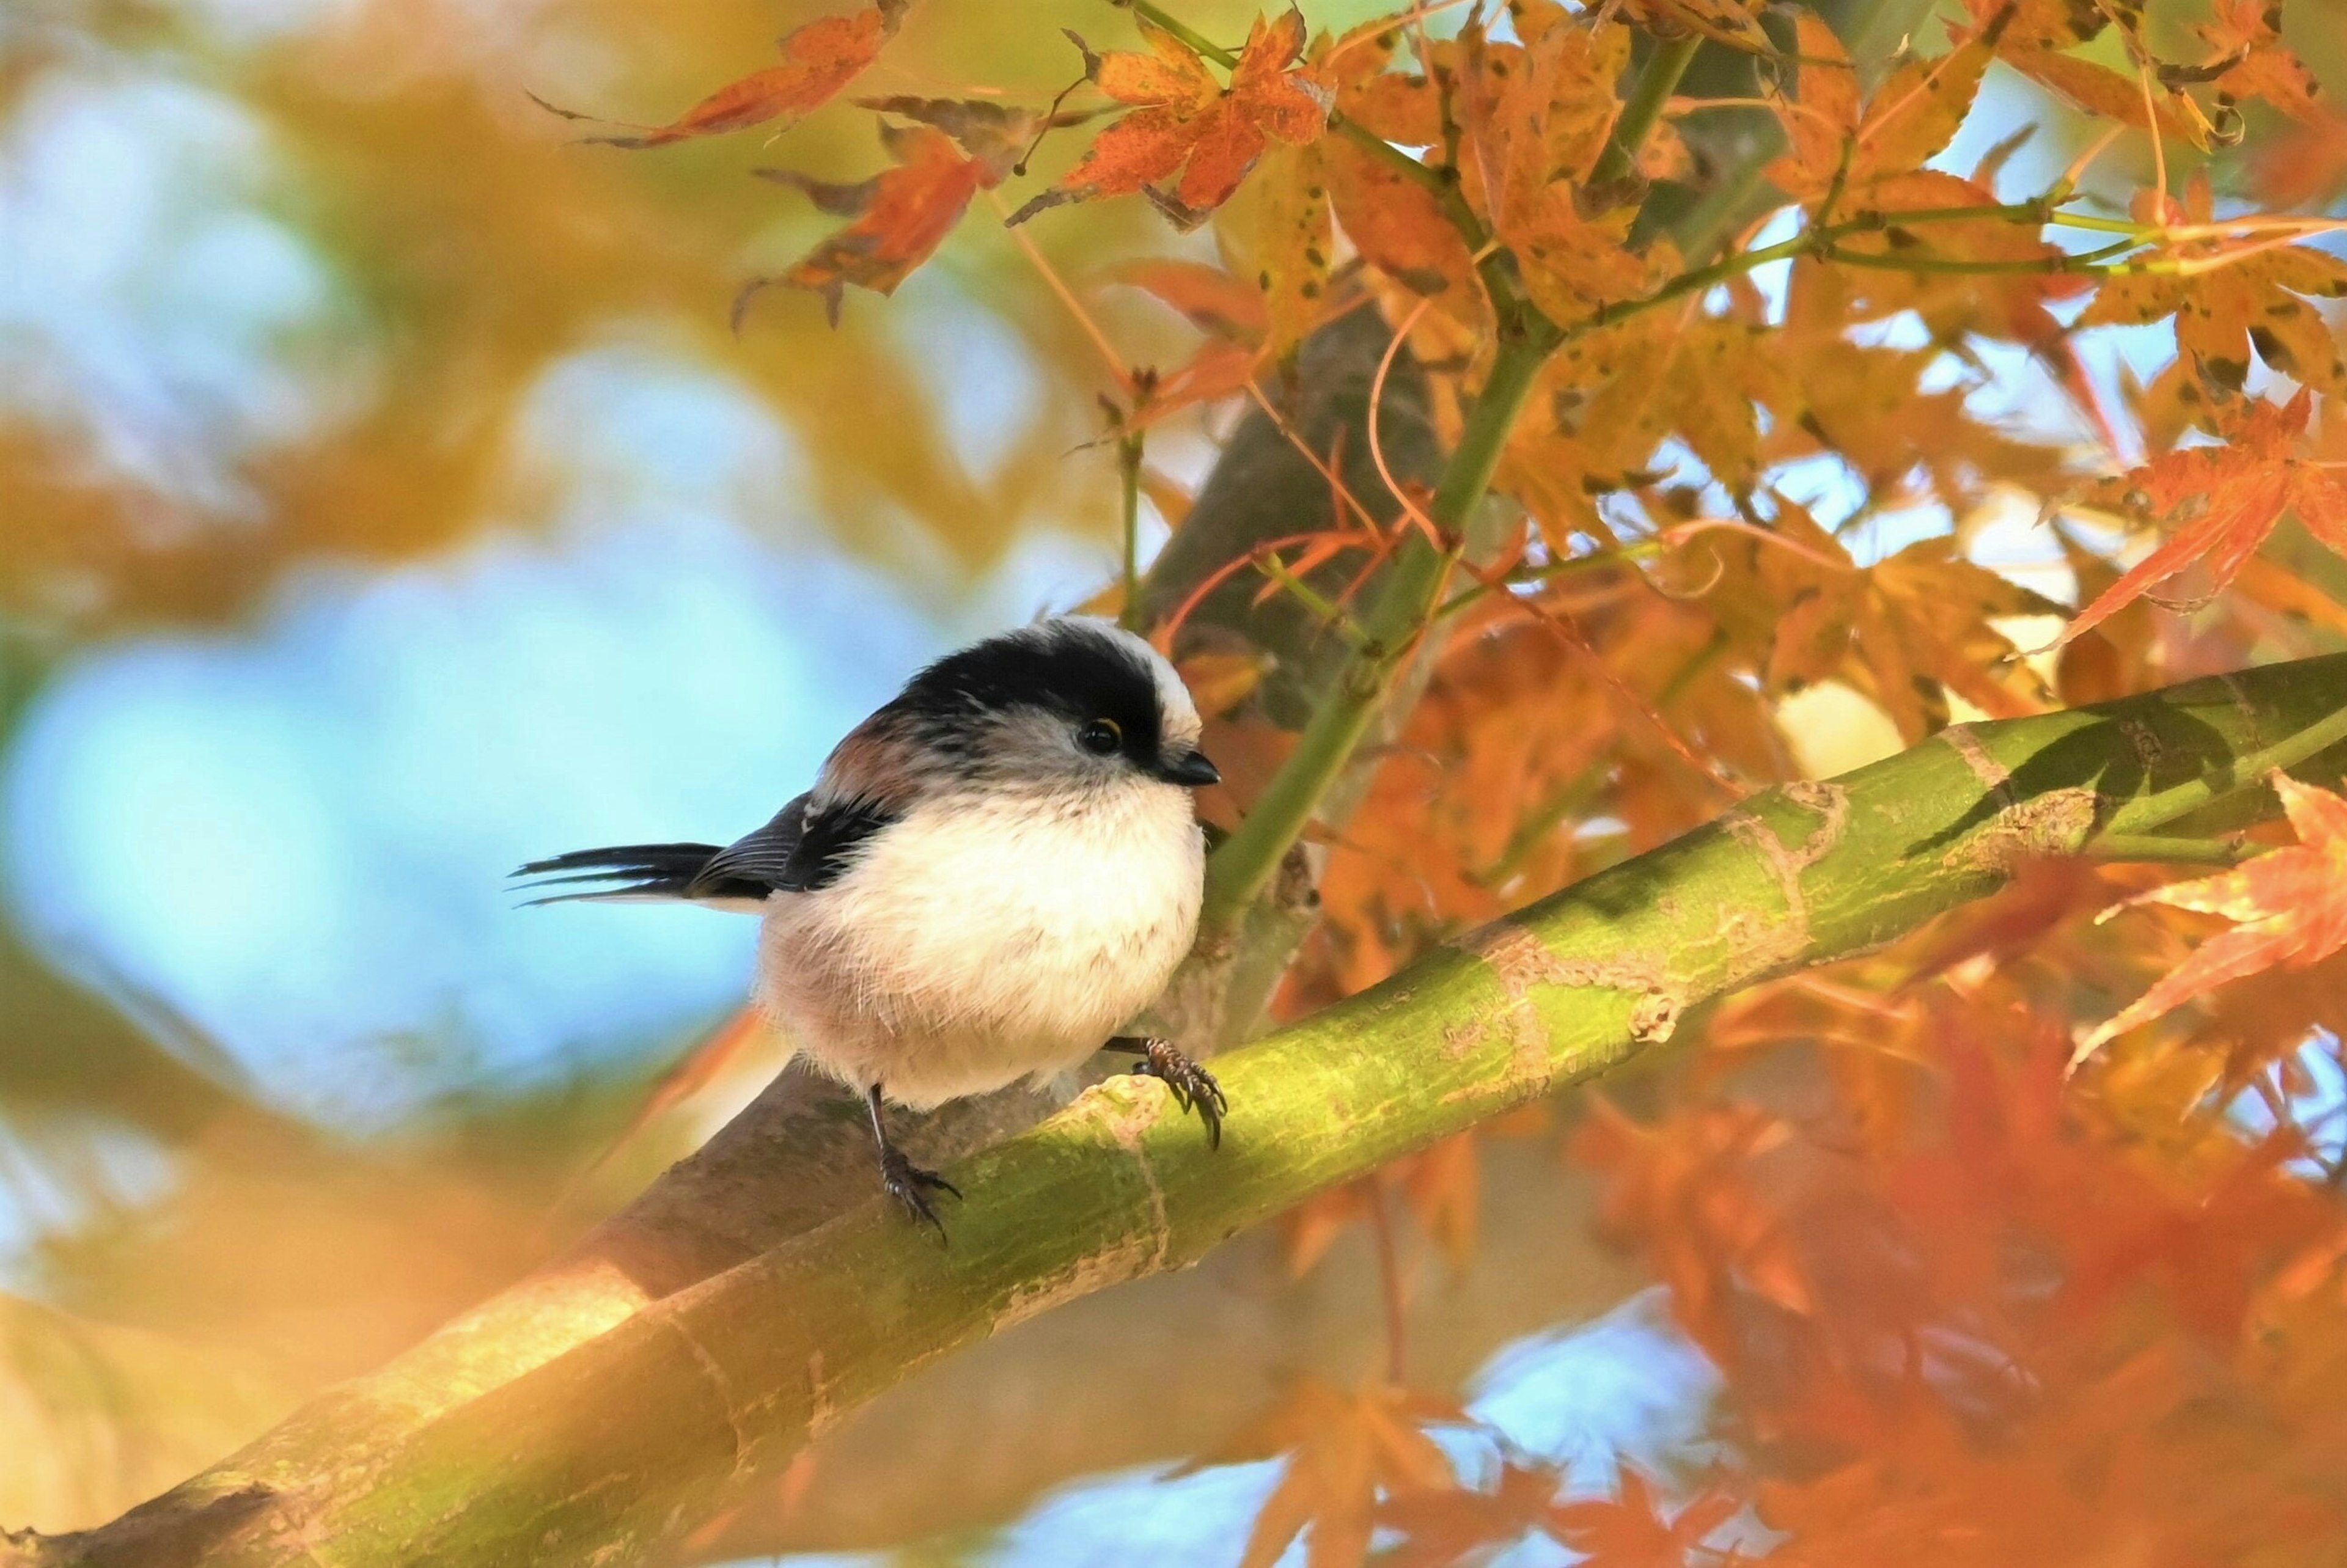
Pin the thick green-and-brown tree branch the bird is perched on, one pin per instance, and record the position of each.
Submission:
(618, 1445)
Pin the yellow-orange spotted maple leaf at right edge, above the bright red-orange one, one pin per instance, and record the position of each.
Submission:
(2228, 306)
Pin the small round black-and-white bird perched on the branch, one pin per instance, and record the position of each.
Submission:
(992, 877)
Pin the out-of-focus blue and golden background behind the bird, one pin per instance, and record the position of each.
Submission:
(384, 501)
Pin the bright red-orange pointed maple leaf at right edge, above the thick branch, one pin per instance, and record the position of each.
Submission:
(2224, 501)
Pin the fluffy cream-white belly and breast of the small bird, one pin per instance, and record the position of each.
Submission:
(975, 945)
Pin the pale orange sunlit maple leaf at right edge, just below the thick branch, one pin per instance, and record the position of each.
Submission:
(2289, 910)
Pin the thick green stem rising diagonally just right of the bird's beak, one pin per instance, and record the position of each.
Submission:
(1245, 865)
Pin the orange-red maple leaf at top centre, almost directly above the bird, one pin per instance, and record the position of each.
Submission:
(1184, 123)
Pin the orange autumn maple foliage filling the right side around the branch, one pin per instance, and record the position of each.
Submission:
(2015, 1243)
